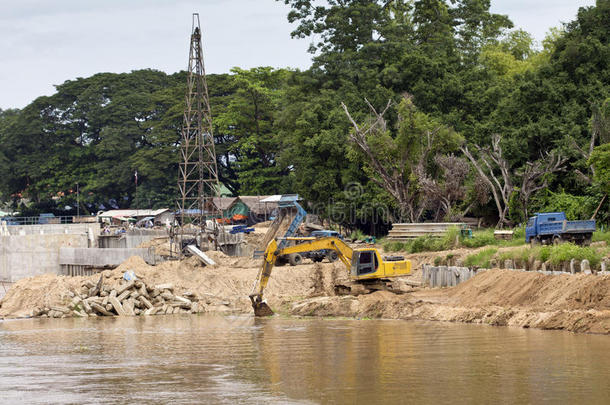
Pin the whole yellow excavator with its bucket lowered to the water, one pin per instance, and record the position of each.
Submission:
(368, 270)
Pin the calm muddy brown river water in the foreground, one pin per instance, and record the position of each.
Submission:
(214, 359)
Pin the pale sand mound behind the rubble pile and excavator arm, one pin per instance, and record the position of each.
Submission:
(226, 285)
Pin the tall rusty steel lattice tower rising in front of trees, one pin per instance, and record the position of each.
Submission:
(198, 174)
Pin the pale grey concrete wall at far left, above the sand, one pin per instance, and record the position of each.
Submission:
(33, 254)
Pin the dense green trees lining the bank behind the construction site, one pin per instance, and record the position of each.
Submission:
(468, 116)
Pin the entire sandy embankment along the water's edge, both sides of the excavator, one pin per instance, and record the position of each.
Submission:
(577, 303)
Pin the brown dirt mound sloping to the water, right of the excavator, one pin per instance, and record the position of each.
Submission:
(496, 297)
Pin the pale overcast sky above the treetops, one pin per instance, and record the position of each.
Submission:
(44, 43)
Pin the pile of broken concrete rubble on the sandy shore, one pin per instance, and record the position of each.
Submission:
(131, 298)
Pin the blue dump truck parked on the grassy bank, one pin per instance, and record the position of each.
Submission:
(553, 227)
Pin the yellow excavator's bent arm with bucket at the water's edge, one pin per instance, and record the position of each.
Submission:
(272, 252)
